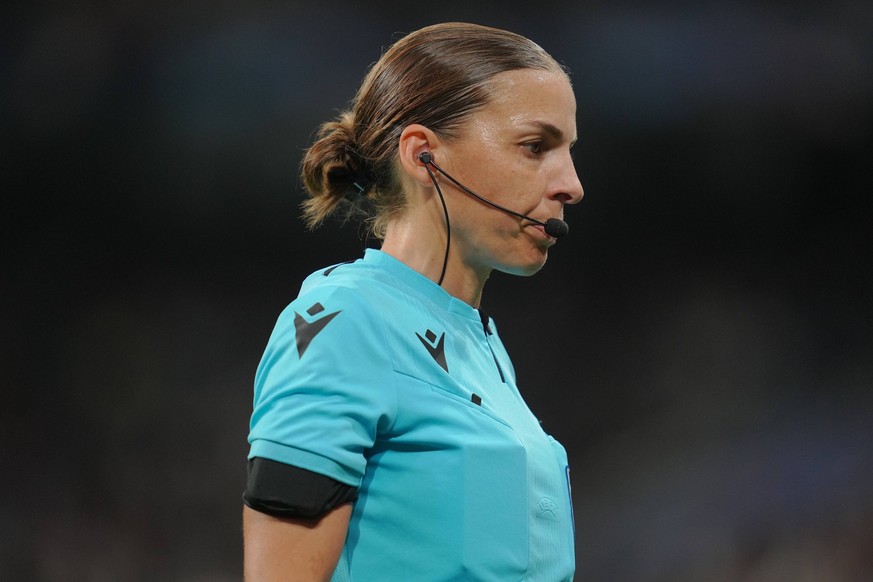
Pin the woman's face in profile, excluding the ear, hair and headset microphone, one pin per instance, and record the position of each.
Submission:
(516, 152)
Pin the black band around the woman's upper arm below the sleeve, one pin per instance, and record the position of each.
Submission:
(284, 490)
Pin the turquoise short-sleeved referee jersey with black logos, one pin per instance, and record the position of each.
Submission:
(377, 377)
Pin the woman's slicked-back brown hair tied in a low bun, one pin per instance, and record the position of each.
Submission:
(437, 77)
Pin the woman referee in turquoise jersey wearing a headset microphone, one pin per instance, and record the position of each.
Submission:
(388, 438)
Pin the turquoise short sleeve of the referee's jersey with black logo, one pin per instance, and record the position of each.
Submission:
(324, 389)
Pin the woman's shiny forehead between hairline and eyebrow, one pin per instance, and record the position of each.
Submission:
(530, 97)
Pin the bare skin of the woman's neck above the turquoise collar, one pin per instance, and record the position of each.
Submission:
(417, 238)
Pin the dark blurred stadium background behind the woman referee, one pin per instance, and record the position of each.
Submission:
(702, 342)
